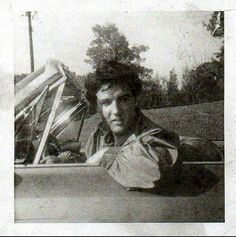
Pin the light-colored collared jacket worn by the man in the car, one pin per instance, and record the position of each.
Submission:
(143, 159)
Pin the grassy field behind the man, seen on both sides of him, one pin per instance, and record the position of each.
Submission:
(202, 120)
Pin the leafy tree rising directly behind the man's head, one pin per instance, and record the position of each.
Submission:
(111, 44)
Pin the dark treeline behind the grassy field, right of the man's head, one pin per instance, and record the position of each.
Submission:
(205, 83)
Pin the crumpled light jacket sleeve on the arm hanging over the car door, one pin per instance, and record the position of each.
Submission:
(142, 160)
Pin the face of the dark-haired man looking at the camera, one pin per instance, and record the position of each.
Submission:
(117, 106)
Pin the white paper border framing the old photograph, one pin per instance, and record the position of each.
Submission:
(7, 225)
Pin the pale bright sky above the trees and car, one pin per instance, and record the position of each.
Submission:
(175, 39)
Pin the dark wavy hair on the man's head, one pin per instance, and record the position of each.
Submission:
(112, 72)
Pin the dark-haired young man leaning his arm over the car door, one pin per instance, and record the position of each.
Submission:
(135, 151)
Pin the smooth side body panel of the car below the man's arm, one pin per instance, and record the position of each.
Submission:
(80, 193)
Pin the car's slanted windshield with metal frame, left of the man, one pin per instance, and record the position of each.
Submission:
(41, 116)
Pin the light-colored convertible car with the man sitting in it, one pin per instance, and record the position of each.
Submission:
(47, 102)
